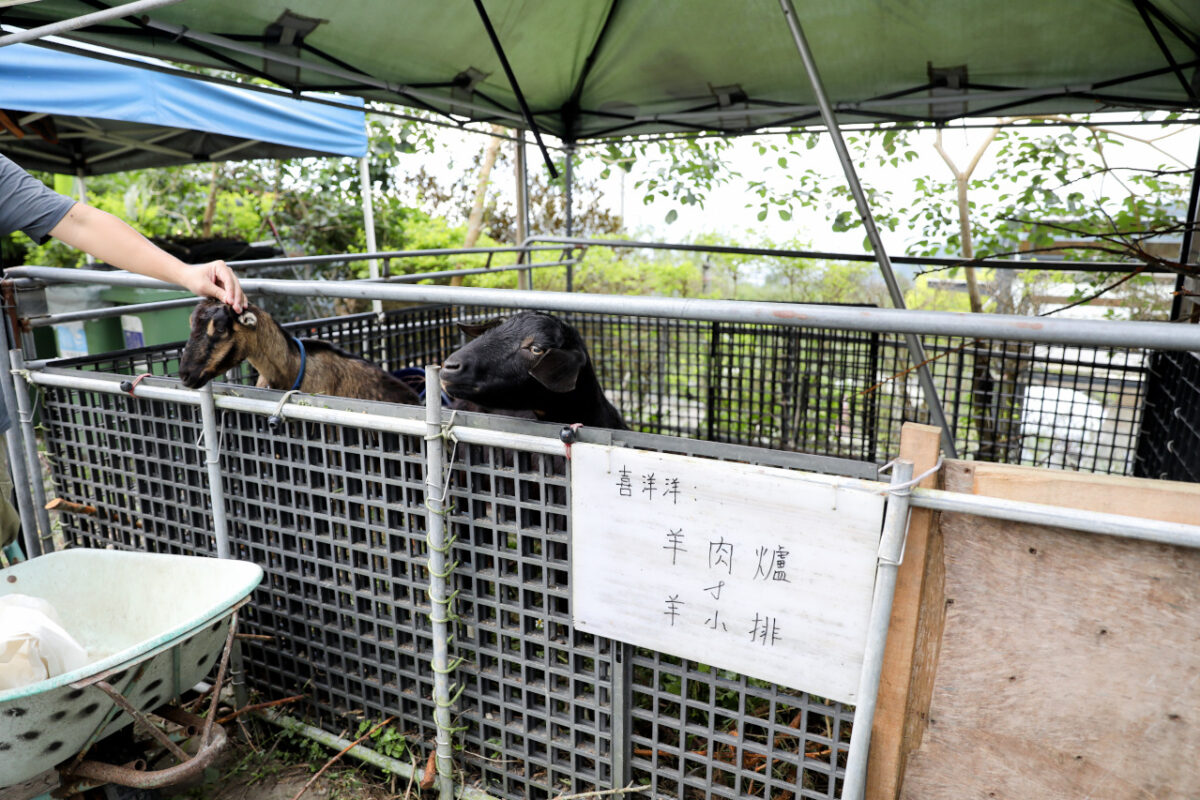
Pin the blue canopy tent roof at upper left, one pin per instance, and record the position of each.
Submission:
(68, 113)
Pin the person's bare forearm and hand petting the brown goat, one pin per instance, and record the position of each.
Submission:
(111, 240)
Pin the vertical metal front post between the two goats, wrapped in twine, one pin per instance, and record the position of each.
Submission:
(440, 569)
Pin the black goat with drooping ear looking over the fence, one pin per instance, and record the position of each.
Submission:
(533, 363)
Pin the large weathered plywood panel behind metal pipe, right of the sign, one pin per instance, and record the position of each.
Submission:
(1070, 664)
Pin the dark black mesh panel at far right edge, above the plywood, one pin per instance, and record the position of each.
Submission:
(1169, 446)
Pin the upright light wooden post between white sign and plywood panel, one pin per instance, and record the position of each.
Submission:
(905, 659)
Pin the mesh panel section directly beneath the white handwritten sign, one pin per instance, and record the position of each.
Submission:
(701, 732)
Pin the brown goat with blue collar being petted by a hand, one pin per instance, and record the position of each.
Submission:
(223, 339)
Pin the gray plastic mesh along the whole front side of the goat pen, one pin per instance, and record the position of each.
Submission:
(335, 516)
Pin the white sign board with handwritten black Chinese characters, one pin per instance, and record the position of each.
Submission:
(767, 573)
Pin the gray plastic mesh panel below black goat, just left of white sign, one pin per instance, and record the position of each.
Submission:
(536, 691)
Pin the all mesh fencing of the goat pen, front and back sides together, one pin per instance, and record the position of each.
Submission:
(335, 515)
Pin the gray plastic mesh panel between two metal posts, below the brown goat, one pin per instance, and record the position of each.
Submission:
(335, 516)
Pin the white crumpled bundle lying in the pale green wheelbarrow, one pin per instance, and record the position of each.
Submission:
(34, 646)
